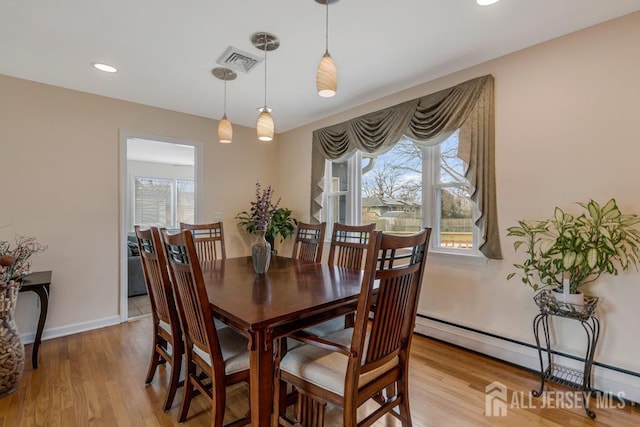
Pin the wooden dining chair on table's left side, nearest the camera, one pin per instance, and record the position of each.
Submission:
(214, 358)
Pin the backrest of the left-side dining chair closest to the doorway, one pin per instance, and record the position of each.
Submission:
(156, 276)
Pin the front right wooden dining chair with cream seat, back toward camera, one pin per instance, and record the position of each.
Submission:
(370, 361)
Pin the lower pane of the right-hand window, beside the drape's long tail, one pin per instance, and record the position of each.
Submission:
(456, 220)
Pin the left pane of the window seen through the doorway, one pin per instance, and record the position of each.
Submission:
(153, 202)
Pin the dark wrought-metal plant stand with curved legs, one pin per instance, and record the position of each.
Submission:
(584, 314)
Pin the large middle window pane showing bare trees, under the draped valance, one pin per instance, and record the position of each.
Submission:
(392, 189)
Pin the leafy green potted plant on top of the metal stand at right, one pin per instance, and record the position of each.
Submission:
(569, 251)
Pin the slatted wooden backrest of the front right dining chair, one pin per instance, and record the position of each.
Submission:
(392, 280)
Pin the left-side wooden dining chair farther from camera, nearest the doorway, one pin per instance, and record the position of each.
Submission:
(167, 335)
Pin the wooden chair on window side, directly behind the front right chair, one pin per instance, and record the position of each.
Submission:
(348, 248)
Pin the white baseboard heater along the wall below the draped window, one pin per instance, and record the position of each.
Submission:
(604, 379)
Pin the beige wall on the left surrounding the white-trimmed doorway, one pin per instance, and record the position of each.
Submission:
(59, 157)
